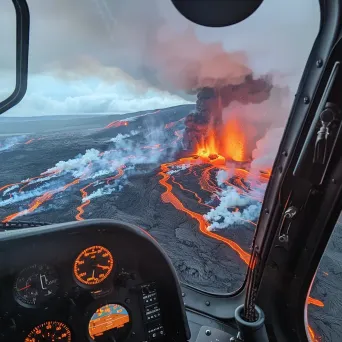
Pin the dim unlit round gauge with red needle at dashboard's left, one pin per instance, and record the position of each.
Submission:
(36, 284)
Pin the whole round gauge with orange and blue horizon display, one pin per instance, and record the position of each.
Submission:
(111, 320)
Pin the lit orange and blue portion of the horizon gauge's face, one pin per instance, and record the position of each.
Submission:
(108, 317)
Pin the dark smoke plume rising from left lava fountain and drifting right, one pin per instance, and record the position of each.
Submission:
(209, 108)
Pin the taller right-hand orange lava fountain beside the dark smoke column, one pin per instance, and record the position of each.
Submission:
(234, 141)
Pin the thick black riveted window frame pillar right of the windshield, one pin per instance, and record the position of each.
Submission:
(287, 272)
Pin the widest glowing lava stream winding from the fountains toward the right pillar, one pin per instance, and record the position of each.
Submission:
(169, 197)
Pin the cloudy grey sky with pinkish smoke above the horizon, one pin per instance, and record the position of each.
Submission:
(113, 56)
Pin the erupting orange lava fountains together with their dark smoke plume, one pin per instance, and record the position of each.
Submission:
(207, 135)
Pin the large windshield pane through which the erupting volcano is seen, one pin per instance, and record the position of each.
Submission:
(133, 113)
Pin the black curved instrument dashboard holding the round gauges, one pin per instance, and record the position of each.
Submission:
(95, 280)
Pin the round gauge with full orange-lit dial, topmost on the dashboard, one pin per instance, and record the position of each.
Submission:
(93, 265)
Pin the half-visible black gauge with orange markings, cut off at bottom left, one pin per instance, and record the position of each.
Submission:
(49, 331)
